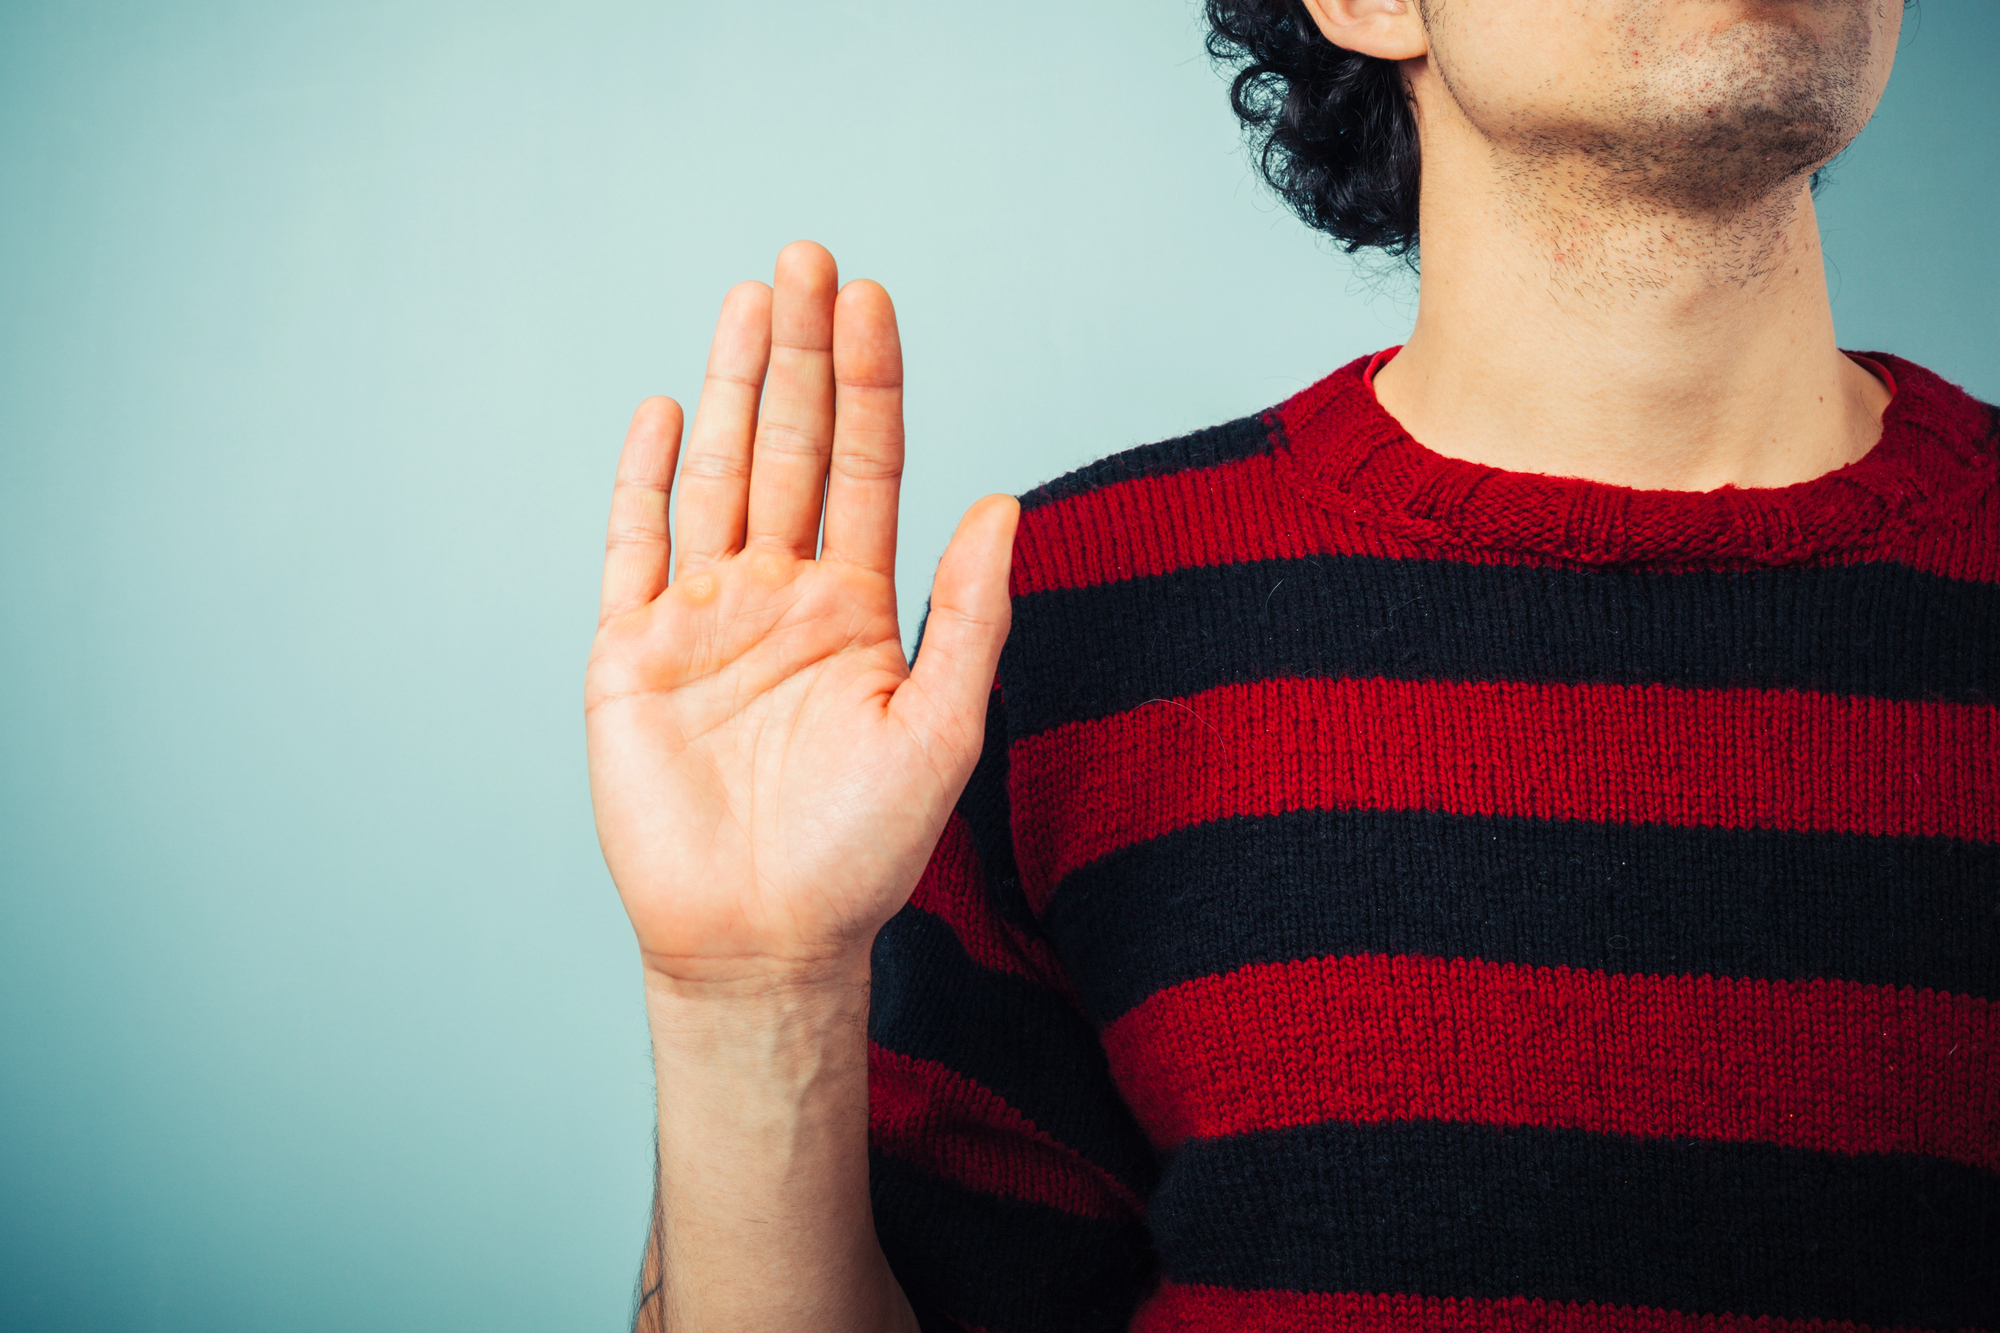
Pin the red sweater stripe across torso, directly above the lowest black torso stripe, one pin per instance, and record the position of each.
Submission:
(1827, 1066)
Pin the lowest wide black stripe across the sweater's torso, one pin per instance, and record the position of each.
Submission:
(1563, 1216)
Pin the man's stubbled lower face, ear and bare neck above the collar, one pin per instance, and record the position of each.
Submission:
(1621, 263)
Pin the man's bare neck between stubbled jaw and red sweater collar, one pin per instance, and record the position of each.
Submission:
(1567, 331)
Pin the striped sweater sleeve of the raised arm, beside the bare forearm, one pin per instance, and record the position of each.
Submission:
(1007, 1174)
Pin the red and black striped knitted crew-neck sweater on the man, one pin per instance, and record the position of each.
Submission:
(1411, 898)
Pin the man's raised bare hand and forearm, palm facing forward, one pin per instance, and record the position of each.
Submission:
(769, 782)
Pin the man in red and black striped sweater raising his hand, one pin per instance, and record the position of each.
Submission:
(1509, 838)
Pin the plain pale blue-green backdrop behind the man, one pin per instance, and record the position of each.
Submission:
(319, 331)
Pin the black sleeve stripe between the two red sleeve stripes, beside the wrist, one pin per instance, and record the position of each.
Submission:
(1023, 1042)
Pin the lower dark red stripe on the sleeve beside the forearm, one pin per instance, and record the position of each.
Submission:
(967, 1134)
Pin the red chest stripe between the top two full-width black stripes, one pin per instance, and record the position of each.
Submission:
(1733, 760)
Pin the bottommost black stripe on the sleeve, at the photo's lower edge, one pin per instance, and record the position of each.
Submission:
(1003, 1264)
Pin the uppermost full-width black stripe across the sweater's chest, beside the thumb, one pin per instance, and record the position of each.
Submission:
(1865, 629)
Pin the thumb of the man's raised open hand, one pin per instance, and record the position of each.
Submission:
(945, 698)
